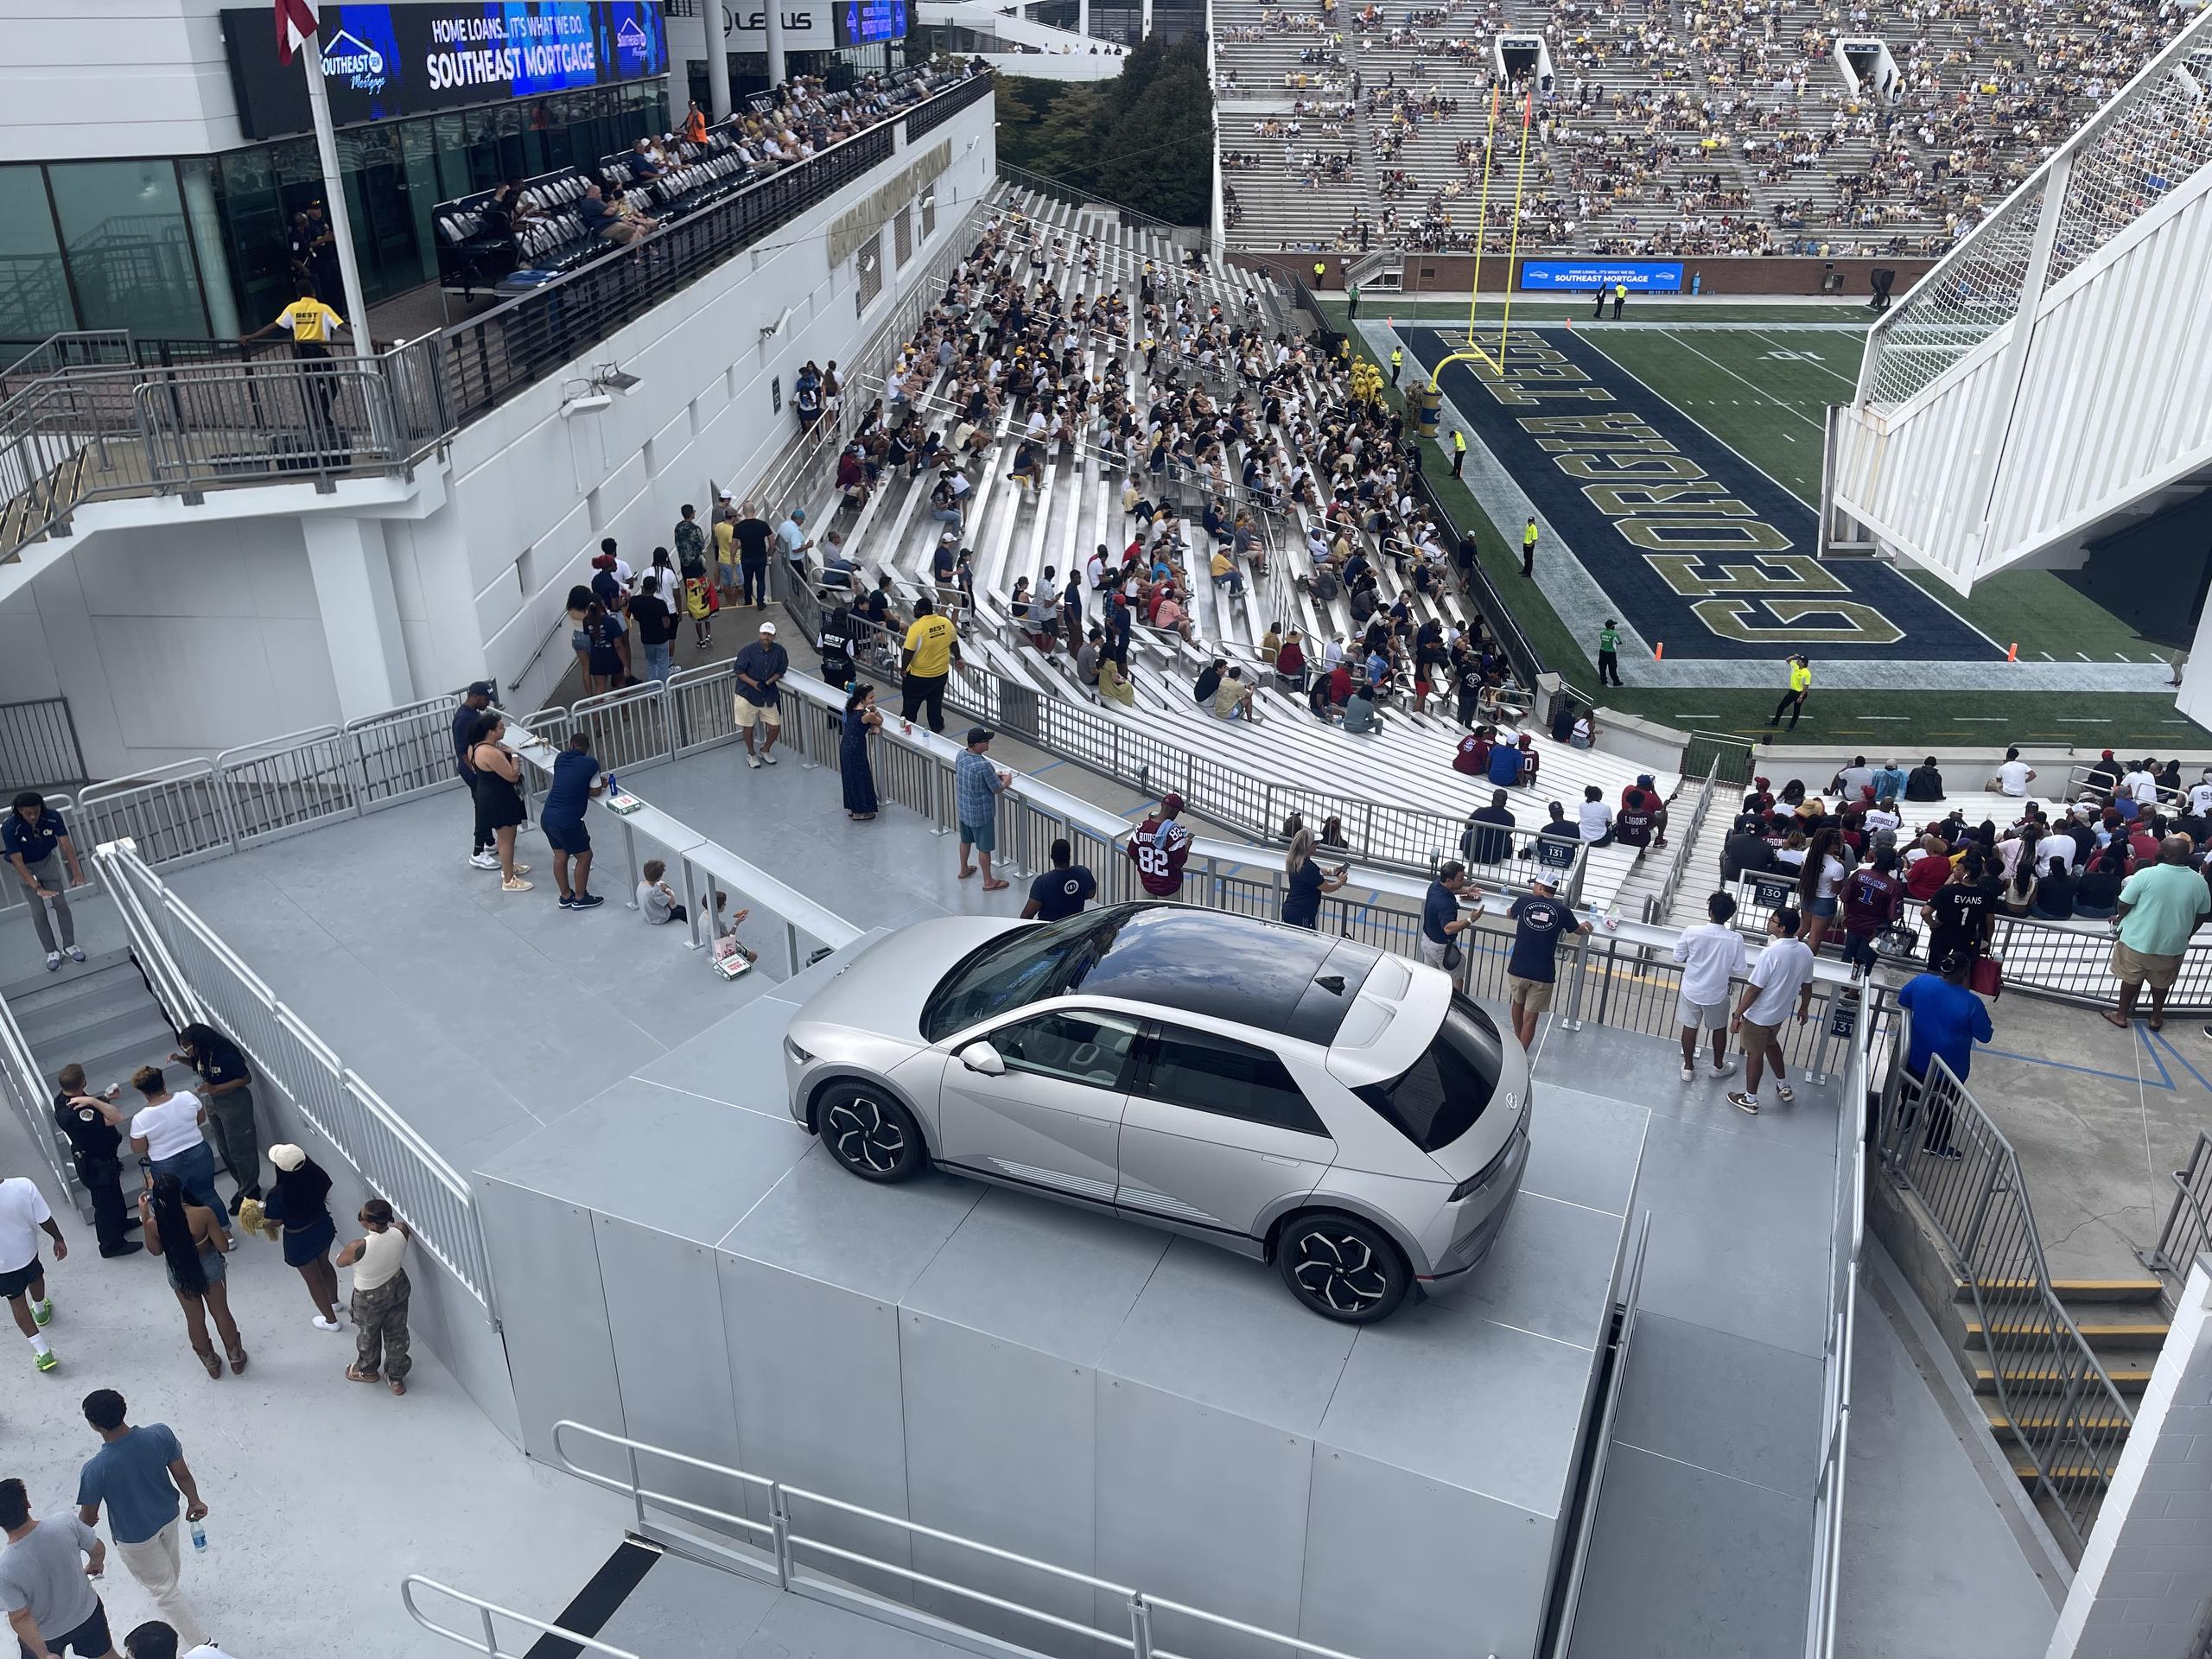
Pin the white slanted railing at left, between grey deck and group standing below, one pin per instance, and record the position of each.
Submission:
(428, 1193)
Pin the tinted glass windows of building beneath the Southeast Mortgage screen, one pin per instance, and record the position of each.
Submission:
(196, 247)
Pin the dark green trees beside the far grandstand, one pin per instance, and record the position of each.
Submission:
(1142, 140)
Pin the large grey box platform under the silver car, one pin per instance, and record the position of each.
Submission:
(682, 1264)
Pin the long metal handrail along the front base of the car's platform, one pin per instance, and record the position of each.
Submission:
(786, 1545)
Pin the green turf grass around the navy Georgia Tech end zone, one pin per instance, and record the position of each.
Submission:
(1768, 408)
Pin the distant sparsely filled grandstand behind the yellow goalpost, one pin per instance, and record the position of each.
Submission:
(1700, 132)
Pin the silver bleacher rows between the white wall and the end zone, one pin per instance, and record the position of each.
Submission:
(1021, 534)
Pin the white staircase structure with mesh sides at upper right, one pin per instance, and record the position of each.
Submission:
(2052, 379)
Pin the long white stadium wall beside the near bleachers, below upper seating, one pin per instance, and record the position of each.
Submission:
(182, 632)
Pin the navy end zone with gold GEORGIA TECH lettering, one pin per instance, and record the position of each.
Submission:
(1687, 539)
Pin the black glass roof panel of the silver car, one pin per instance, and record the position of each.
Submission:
(1269, 977)
